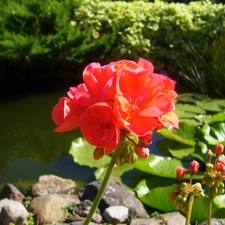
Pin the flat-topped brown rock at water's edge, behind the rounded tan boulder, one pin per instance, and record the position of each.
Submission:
(51, 184)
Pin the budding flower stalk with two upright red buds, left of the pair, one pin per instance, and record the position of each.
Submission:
(184, 193)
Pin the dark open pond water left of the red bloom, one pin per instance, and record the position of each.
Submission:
(28, 145)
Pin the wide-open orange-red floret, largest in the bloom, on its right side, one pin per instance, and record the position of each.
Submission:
(140, 100)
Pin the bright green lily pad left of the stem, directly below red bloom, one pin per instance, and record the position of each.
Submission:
(82, 153)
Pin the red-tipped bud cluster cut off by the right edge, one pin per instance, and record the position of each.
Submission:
(215, 173)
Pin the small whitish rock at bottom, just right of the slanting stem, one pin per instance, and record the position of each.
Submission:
(116, 214)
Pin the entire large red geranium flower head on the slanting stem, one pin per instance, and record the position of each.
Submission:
(122, 96)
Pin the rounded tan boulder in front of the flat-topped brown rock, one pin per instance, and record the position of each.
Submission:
(48, 208)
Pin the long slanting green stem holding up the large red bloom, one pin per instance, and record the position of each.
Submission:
(103, 187)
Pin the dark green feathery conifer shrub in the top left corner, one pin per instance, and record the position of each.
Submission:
(45, 34)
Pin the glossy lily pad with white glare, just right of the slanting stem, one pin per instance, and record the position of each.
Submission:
(158, 165)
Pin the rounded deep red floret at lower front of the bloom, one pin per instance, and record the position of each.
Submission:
(99, 126)
